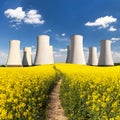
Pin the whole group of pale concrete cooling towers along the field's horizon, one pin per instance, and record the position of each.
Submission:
(44, 53)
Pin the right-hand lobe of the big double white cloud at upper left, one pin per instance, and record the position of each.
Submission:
(32, 17)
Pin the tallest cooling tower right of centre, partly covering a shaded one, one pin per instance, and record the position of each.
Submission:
(77, 54)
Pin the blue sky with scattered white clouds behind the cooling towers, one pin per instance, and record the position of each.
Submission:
(26, 19)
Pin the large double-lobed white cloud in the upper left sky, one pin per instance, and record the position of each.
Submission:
(18, 16)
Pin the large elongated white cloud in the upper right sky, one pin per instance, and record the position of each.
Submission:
(102, 22)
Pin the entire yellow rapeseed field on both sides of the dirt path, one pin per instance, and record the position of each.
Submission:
(87, 92)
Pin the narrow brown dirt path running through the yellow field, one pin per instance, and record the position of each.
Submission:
(55, 110)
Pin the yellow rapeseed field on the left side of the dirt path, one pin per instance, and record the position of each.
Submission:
(24, 92)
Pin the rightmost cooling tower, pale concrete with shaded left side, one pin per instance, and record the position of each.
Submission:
(105, 58)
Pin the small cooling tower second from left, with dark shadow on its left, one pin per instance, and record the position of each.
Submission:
(27, 57)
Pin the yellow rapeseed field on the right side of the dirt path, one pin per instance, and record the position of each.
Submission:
(90, 93)
